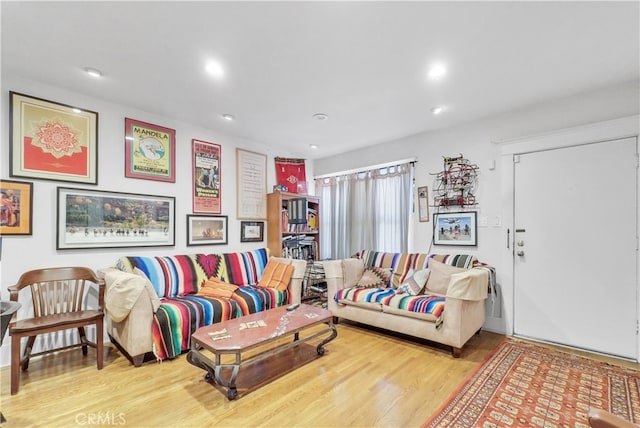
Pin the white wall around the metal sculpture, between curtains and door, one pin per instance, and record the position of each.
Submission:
(477, 142)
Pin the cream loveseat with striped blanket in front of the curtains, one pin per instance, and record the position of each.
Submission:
(440, 298)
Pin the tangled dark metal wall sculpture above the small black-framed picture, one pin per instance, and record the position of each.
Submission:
(456, 184)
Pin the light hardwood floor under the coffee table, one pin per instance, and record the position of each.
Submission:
(365, 379)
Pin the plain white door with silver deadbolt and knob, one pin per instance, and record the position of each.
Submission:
(576, 236)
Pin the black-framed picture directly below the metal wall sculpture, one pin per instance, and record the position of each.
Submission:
(455, 229)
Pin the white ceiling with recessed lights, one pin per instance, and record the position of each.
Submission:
(361, 63)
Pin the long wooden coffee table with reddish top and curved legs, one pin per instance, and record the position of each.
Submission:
(237, 336)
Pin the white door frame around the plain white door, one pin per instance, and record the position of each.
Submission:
(587, 134)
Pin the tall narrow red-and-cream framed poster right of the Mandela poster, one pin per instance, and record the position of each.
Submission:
(207, 175)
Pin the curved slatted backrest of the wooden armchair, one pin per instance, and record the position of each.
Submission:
(56, 290)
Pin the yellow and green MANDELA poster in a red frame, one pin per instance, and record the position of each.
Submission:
(150, 151)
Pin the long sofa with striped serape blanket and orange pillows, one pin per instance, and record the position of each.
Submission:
(154, 304)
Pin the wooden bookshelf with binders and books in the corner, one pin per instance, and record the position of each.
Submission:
(280, 231)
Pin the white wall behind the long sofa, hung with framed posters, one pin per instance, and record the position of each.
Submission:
(22, 253)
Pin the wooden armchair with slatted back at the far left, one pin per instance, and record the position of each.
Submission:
(59, 297)
